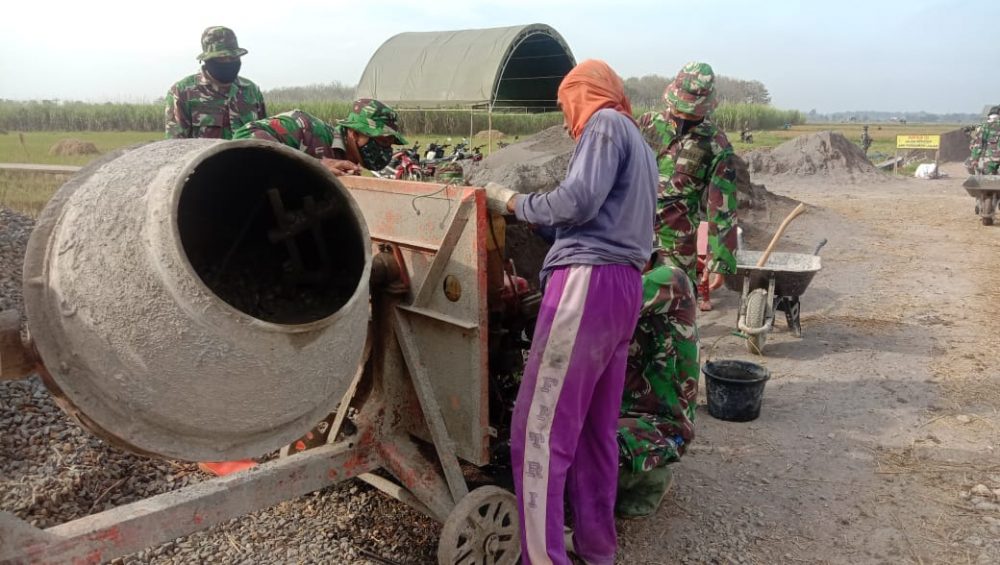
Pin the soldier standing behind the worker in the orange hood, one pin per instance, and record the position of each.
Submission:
(697, 175)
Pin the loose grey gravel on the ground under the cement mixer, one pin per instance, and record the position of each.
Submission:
(53, 471)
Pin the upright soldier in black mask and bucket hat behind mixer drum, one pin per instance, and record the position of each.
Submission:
(215, 101)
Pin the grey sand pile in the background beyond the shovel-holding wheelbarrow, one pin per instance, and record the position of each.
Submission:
(823, 153)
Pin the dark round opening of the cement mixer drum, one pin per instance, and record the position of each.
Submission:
(270, 237)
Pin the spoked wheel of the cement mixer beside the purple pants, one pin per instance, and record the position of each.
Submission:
(482, 528)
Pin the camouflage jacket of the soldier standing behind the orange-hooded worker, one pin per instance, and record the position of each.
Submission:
(697, 182)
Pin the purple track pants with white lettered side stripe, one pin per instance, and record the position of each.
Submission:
(566, 415)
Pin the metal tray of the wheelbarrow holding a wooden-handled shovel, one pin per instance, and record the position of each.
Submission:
(792, 272)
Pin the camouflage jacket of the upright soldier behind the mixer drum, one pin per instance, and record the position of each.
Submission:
(195, 108)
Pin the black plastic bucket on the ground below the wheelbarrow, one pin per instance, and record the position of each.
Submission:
(735, 389)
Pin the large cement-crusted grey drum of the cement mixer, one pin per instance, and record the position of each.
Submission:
(200, 299)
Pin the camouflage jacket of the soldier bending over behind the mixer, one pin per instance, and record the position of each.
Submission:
(298, 130)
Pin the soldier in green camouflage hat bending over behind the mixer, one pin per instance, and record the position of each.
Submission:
(365, 137)
